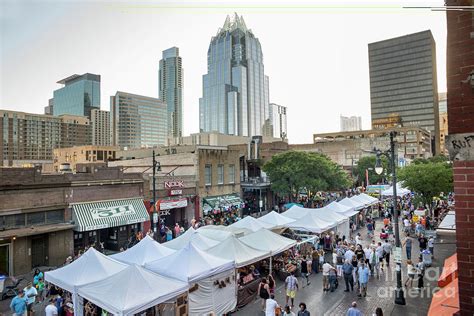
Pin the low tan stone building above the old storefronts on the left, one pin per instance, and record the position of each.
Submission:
(73, 156)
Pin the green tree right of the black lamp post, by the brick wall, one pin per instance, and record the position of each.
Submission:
(428, 179)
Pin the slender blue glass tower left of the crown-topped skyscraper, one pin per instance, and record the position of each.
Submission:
(171, 89)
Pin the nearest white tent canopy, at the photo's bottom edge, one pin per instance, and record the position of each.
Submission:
(132, 290)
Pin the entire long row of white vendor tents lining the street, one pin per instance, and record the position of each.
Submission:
(201, 262)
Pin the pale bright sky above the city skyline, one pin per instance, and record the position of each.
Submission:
(315, 52)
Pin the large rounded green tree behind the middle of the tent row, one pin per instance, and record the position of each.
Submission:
(292, 171)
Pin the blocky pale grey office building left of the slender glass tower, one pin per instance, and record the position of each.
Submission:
(138, 121)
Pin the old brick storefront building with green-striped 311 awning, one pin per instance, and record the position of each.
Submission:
(44, 218)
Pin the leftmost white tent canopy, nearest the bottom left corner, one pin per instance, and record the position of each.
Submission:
(90, 267)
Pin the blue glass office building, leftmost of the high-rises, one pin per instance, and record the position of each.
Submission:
(80, 94)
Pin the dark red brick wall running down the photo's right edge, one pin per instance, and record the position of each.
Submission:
(460, 69)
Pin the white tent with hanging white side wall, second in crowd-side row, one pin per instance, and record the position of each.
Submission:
(193, 265)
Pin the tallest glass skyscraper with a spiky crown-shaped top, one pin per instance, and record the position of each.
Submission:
(235, 97)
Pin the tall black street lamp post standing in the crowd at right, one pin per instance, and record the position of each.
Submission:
(390, 154)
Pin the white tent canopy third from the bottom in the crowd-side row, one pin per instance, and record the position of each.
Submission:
(234, 249)
